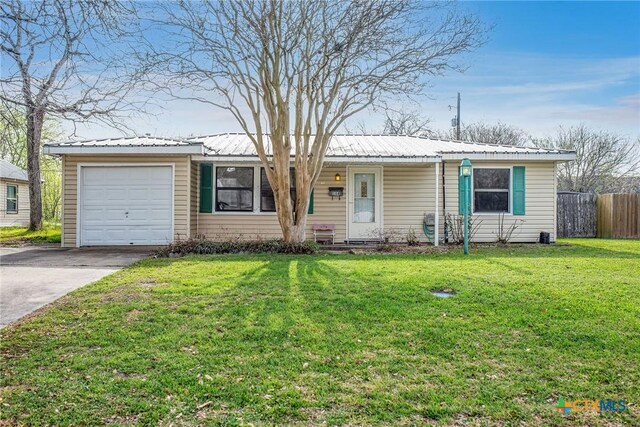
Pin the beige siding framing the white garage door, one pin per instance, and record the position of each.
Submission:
(70, 185)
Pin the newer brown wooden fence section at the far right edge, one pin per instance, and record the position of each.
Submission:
(618, 216)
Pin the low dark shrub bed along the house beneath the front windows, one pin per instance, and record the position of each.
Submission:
(206, 247)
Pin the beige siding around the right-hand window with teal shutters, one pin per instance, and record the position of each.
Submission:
(540, 200)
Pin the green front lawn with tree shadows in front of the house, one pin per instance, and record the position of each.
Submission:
(337, 339)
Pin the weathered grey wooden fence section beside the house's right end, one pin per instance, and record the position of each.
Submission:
(576, 214)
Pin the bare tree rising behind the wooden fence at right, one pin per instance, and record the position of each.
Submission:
(604, 161)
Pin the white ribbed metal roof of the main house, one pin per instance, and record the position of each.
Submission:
(341, 148)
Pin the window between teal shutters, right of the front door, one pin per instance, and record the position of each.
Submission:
(491, 190)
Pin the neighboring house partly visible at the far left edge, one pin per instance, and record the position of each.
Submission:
(14, 191)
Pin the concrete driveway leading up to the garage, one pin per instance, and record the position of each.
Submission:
(31, 277)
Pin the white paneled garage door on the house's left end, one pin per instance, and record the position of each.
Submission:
(129, 205)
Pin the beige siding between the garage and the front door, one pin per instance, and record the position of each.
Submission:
(229, 226)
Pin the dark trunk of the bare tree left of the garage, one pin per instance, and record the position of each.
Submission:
(35, 120)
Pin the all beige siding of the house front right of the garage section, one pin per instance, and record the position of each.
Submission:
(408, 193)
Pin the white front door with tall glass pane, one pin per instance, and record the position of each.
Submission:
(365, 207)
